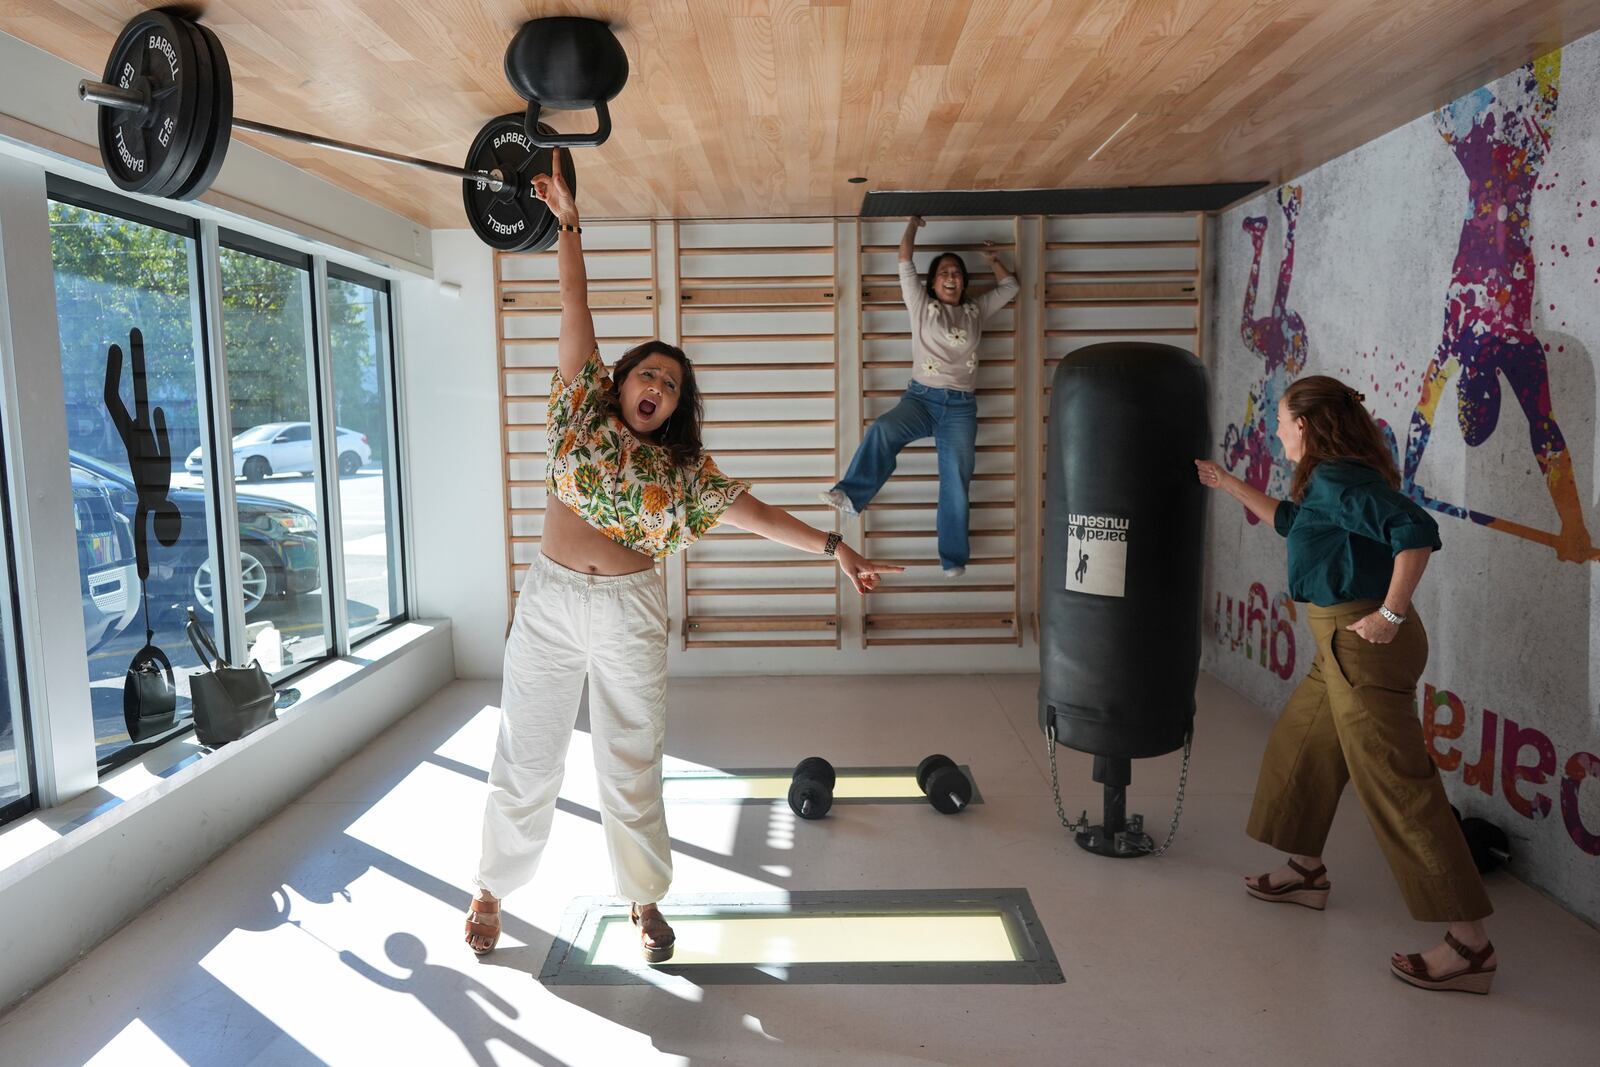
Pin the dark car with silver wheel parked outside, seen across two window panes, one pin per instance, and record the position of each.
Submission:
(278, 546)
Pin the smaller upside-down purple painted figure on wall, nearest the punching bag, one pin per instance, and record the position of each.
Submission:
(1279, 340)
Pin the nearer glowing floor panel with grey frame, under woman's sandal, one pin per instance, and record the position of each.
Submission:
(935, 937)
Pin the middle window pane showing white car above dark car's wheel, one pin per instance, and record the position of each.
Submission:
(273, 398)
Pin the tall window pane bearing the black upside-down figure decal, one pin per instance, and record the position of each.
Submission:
(132, 425)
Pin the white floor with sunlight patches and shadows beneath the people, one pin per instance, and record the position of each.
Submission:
(334, 933)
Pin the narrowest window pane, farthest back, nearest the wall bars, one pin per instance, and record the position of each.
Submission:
(369, 510)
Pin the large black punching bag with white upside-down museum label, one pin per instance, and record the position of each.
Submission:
(1124, 549)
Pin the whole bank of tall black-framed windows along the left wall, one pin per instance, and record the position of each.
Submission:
(159, 343)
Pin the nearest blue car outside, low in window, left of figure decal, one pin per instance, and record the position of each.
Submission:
(108, 575)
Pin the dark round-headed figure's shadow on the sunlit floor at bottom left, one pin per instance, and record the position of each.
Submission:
(449, 994)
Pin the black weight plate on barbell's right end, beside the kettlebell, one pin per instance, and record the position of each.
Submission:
(511, 218)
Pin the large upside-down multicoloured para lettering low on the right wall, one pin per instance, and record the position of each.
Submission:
(1502, 746)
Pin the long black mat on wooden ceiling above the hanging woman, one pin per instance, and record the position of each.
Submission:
(1121, 201)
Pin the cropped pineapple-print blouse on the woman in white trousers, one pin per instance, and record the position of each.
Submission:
(626, 489)
